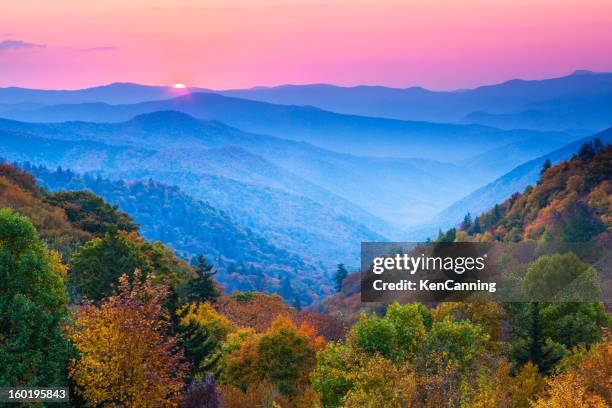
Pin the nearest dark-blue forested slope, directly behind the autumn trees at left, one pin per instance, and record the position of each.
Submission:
(245, 259)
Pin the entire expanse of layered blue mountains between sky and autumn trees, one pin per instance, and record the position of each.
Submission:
(298, 184)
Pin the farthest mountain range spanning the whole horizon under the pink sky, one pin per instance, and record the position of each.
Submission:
(580, 102)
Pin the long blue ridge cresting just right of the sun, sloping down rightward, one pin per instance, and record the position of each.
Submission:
(357, 135)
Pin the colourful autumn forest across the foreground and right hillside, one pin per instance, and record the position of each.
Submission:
(87, 303)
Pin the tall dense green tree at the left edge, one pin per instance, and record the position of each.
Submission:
(33, 307)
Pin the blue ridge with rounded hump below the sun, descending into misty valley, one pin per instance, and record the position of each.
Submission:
(348, 184)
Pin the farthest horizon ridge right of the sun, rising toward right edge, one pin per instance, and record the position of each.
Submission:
(531, 104)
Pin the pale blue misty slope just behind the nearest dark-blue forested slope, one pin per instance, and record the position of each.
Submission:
(329, 236)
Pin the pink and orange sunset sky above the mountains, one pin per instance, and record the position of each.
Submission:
(438, 44)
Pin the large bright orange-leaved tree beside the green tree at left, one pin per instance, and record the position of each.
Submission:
(126, 358)
